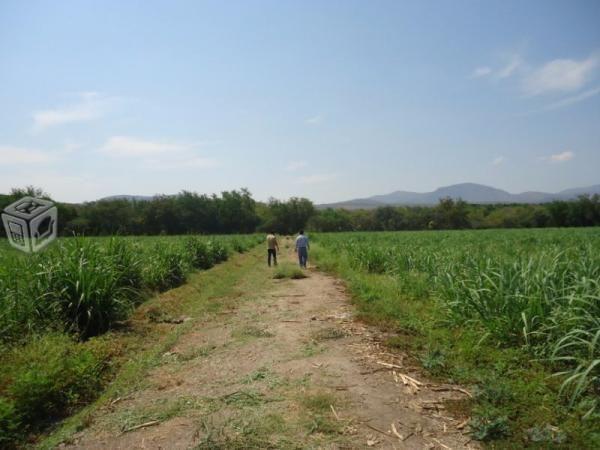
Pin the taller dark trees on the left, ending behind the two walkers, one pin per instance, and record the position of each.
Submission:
(185, 213)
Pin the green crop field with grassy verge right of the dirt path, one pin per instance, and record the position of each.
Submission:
(514, 314)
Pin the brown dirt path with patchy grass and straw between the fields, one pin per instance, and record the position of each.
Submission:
(281, 364)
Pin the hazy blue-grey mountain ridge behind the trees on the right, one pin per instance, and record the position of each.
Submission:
(469, 192)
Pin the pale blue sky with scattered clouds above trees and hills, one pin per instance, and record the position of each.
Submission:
(329, 100)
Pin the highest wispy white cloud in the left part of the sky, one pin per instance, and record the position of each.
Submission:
(88, 106)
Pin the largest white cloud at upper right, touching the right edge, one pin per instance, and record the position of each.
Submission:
(560, 75)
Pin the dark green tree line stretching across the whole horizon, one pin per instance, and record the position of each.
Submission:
(237, 212)
